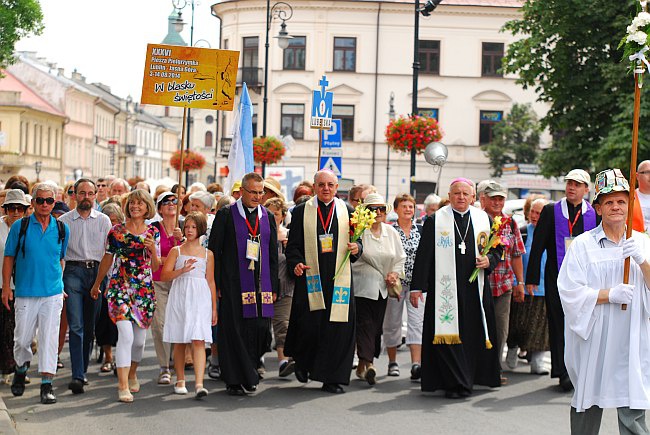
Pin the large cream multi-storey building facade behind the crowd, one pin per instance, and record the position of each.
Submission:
(366, 50)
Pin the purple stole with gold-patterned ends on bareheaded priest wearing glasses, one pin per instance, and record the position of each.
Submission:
(247, 276)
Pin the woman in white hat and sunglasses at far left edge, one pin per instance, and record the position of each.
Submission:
(14, 208)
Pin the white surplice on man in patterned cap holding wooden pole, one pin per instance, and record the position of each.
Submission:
(607, 350)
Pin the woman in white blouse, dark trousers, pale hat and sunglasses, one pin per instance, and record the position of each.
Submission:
(381, 265)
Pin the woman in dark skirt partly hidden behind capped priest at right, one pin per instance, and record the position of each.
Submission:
(528, 322)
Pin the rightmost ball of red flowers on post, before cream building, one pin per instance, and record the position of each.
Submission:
(404, 133)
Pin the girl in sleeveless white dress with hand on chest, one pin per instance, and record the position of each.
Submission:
(192, 305)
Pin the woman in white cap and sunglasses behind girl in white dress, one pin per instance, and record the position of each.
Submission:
(170, 236)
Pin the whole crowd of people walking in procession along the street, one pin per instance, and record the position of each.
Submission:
(219, 277)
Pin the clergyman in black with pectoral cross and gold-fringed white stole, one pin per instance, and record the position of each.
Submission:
(459, 322)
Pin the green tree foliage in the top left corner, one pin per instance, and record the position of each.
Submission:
(18, 18)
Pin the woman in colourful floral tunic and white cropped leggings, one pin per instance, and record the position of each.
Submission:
(130, 294)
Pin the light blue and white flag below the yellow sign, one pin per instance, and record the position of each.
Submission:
(240, 158)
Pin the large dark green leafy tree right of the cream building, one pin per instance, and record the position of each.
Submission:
(568, 53)
